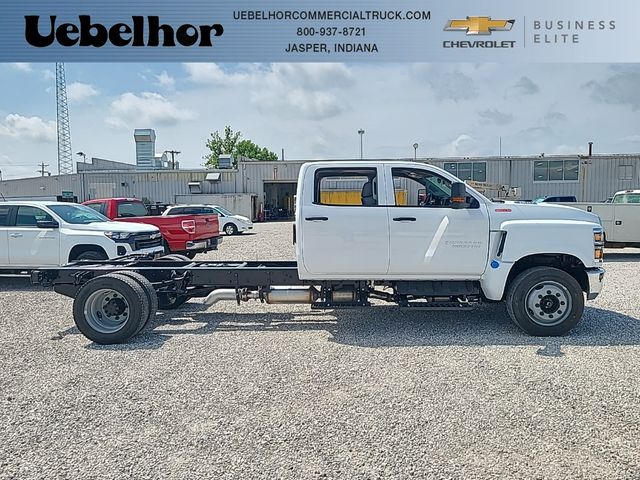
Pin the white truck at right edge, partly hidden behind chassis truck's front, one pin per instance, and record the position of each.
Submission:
(620, 218)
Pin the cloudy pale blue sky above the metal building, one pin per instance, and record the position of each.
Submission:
(314, 110)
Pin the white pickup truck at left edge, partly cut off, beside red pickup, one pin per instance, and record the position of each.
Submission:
(35, 234)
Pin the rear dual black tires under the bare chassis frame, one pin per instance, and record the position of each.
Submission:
(124, 291)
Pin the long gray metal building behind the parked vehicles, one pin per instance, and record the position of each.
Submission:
(256, 186)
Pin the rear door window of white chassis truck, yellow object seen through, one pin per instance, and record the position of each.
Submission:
(347, 187)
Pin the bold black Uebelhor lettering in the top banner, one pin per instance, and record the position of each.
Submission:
(140, 33)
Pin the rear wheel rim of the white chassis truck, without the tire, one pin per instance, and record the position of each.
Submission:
(106, 311)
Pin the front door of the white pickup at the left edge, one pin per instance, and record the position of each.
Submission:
(30, 245)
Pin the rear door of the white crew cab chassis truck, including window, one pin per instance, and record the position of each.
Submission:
(342, 225)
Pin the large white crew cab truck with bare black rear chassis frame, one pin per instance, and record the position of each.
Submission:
(399, 232)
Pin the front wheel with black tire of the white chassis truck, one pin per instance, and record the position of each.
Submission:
(545, 301)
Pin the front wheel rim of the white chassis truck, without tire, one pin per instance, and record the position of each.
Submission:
(548, 303)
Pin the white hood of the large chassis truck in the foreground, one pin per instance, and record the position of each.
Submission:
(531, 211)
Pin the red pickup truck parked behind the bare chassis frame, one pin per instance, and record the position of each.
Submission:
(185, 234)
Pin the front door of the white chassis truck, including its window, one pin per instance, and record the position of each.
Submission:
(428, 238)
